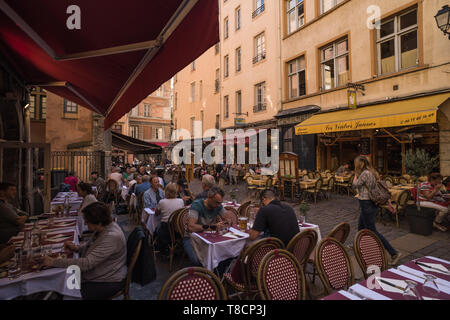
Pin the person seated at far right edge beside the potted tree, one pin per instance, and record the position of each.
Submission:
(430, 196)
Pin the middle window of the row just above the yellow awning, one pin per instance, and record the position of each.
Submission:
(335, 64)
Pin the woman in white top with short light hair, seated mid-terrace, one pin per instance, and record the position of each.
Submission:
(165, 208)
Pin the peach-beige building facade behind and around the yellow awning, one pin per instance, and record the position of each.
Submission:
(328, 46)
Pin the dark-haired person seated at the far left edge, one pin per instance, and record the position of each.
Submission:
(11, 218)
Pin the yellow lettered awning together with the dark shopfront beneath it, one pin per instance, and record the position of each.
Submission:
(383, 132)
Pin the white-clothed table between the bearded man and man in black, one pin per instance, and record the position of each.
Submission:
(211, 249)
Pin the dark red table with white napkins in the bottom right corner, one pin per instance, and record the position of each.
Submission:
(407, 271)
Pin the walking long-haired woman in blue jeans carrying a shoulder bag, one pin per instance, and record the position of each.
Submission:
(366, 178)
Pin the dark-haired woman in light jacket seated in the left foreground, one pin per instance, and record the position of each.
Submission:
(102, 259)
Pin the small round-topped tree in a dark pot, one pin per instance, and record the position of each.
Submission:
(420, 163)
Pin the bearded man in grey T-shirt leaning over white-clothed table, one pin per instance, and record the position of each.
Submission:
(202, 214)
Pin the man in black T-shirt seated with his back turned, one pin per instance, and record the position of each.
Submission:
(279, 220)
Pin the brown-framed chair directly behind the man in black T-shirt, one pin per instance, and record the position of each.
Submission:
(250, 259)
